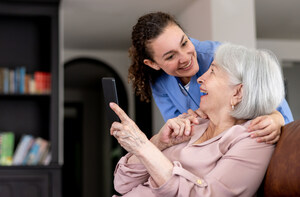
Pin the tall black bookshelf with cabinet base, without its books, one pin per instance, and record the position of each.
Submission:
(29, 38)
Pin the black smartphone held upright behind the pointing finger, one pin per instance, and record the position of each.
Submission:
(110, 95)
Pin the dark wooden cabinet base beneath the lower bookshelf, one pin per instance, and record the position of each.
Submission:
(29, 181)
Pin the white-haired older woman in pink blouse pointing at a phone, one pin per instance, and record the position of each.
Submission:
(214, 157)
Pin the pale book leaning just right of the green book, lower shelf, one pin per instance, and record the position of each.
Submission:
(22, 149)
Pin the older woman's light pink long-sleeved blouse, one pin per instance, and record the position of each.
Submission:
(230, 164)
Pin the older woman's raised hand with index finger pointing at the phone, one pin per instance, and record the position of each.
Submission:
(129, 136)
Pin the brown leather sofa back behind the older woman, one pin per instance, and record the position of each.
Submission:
(283, 174)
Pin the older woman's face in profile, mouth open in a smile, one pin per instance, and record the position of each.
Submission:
(218, 91)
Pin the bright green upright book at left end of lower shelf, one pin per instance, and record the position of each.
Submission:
(7, 148)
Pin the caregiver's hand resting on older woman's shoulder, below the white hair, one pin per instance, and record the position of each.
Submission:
(267, 128)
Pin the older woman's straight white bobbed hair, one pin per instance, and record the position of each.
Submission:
(260, 74)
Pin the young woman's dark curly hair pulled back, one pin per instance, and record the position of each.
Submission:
(148, 27)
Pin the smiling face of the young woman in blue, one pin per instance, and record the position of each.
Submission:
(174, 53)
